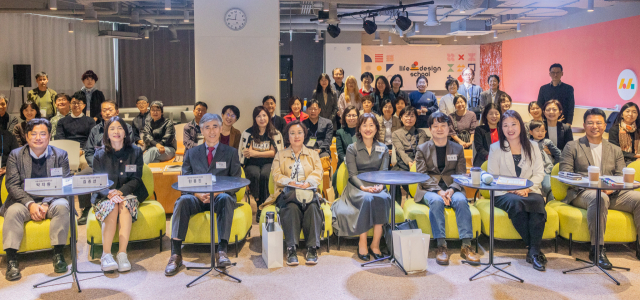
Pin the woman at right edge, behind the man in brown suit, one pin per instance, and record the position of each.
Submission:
(625, 134)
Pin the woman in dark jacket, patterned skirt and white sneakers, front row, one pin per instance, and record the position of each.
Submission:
(122, 162)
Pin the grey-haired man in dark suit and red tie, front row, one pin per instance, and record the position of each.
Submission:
(215, 158)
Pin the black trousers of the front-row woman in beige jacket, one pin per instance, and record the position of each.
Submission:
(294, 218)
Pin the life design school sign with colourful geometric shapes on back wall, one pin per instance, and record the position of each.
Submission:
(438, 64)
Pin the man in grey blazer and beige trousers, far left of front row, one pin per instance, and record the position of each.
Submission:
(35, 160)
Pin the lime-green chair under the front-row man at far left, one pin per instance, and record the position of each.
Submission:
(36, 234)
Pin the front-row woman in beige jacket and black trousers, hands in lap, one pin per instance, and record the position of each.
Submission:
(298, 167)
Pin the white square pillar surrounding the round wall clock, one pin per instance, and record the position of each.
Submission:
(237, 67)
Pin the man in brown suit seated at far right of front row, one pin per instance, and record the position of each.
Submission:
(593, 150)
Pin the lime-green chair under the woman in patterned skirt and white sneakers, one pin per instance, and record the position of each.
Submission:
(151, 223)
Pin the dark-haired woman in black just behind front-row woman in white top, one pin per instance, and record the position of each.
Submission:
(487, 133)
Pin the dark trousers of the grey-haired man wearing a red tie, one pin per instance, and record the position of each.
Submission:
(188, 205)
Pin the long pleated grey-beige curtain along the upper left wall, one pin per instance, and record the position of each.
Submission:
(44, 42)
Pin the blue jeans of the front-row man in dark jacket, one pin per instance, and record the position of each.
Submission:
(436, 214)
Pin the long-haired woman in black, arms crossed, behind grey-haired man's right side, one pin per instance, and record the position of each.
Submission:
(258, 145)
